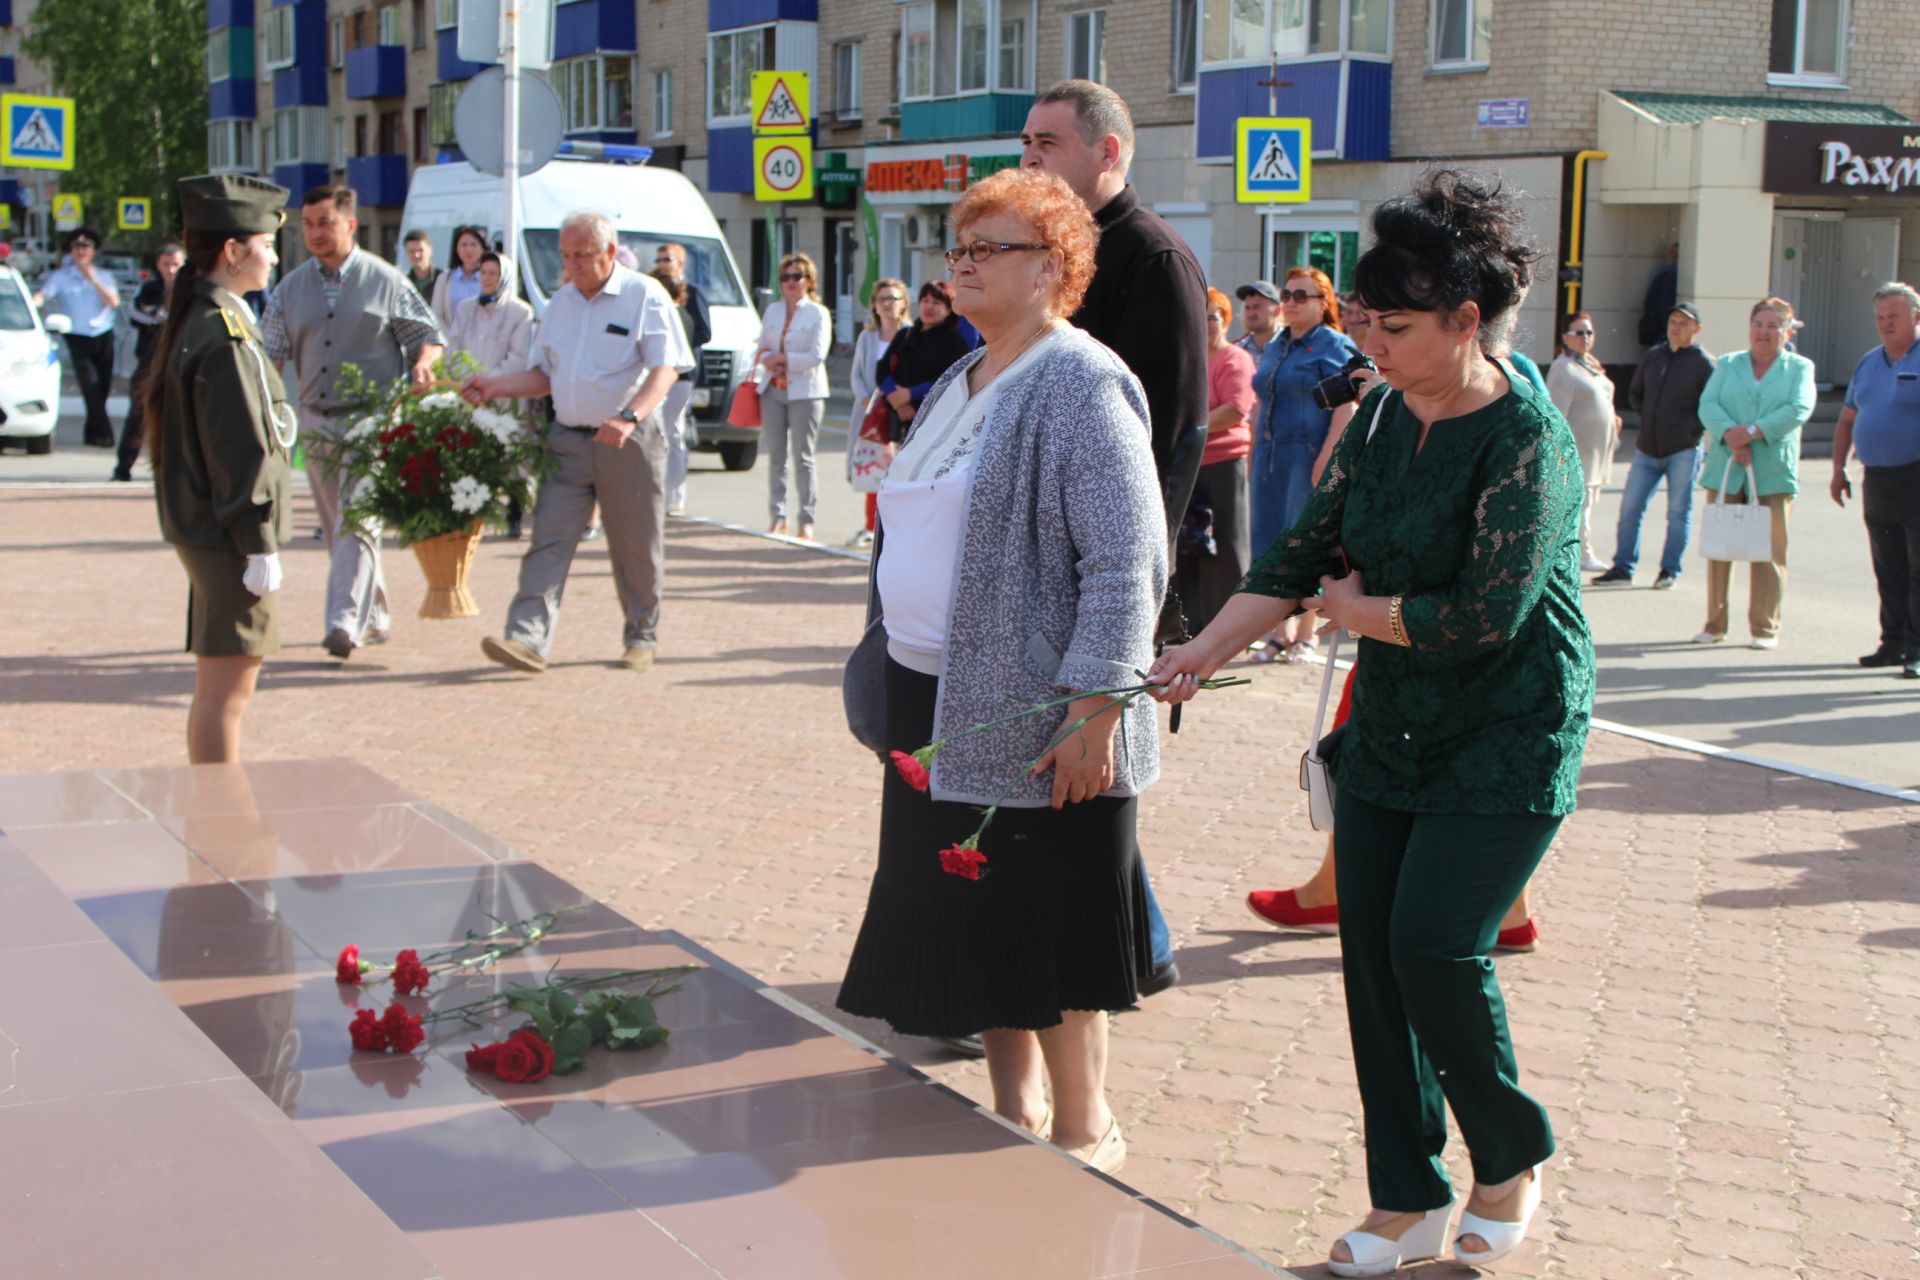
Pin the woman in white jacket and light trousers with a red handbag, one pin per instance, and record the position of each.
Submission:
(794, 350)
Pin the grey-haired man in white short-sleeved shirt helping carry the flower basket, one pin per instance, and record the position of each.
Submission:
(610, 350)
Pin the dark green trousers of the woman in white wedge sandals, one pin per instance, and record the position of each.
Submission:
(1422, 897)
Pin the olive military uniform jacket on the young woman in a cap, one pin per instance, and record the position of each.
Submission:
(228, 433)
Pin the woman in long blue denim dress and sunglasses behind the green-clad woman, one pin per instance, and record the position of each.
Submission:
(1289, 429)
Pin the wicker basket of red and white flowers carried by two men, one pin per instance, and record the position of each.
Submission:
(433, 469)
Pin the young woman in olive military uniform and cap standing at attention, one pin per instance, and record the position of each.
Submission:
(222, 439)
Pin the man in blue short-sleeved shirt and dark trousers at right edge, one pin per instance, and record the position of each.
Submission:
(1883, 427)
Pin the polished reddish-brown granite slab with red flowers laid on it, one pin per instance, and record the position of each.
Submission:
(197, 913)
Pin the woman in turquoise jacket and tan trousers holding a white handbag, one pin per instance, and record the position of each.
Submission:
(1754, 406)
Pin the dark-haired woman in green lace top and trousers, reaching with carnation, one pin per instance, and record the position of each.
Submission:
(1456, 502)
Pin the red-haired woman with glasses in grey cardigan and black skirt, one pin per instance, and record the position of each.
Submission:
(1020, 559)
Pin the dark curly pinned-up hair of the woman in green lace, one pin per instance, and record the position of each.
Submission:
(1458, 237)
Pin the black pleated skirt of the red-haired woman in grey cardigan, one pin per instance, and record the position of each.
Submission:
(1055, 922)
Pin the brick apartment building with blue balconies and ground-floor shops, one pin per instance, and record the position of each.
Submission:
(1716, 122)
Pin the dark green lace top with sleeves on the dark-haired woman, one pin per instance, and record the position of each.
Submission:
(1479, 531)
